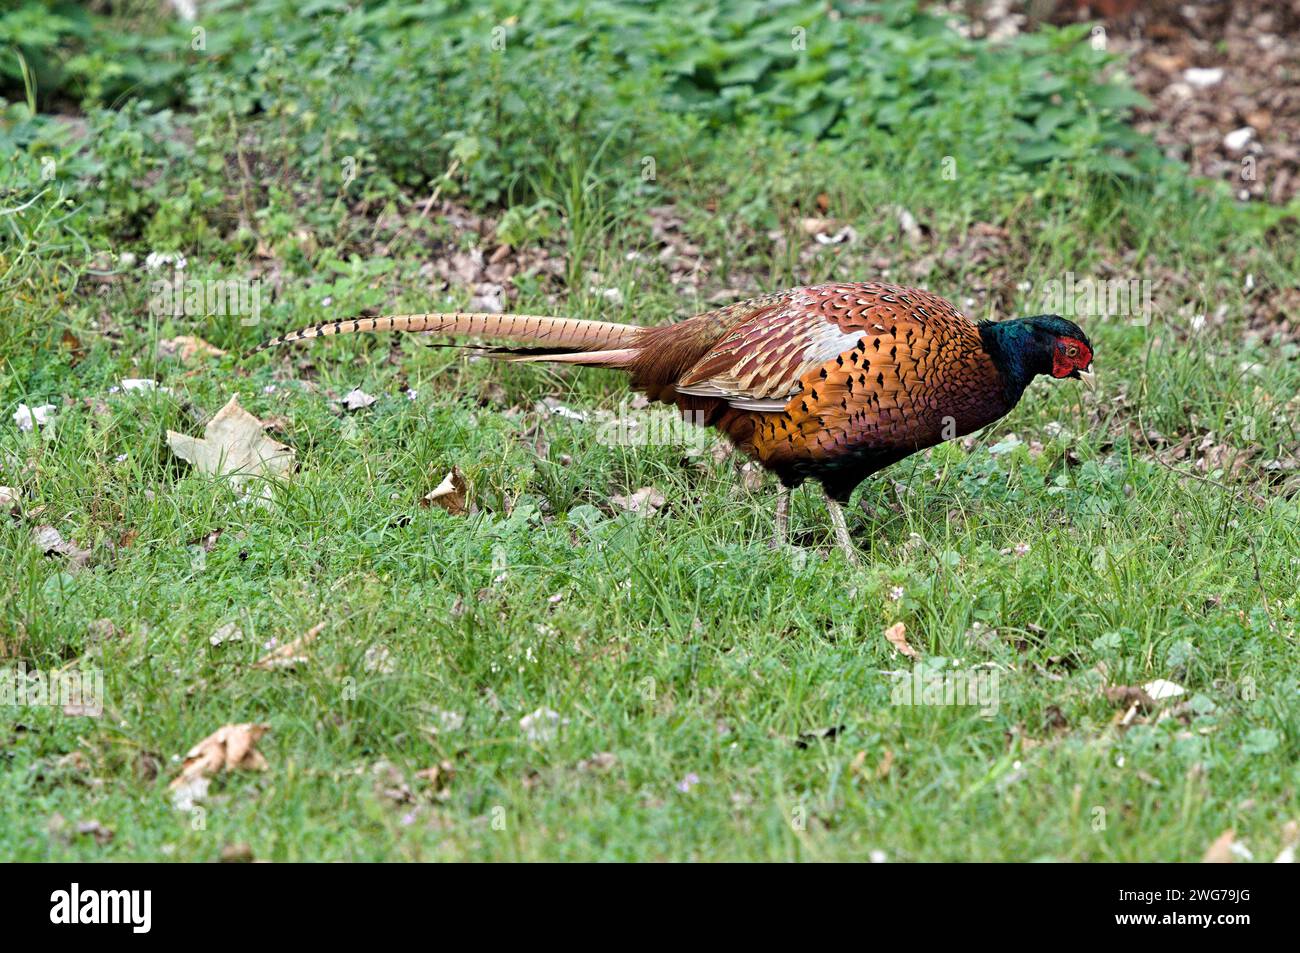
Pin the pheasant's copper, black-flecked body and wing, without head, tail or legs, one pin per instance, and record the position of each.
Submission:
(837, 382)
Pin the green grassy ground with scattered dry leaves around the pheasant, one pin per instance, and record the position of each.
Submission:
(592, 683)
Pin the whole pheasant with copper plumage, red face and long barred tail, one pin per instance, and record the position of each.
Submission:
(830, 383)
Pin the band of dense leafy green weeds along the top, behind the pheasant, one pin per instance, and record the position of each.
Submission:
(517, 99)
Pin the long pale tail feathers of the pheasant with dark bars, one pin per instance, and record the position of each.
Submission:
(556, 335)
